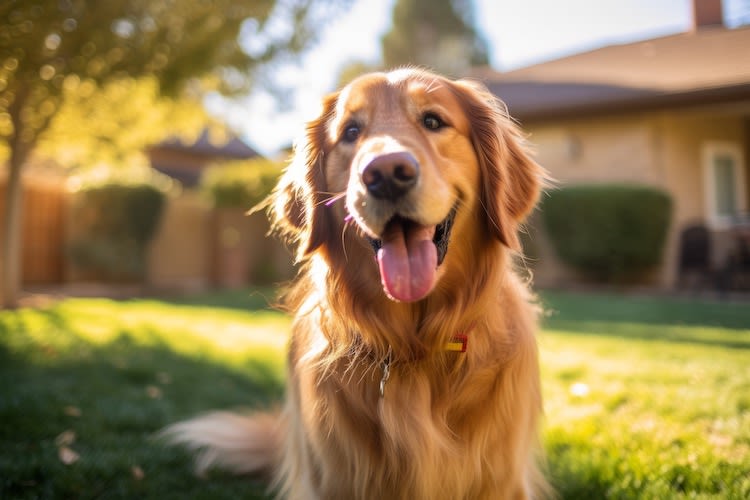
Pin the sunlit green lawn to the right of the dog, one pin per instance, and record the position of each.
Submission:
(647, 397)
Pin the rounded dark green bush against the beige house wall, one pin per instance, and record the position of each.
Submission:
(608, 232)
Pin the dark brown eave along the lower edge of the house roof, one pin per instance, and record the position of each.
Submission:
(652, 102)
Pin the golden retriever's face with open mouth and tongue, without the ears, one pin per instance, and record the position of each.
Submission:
(402, 153)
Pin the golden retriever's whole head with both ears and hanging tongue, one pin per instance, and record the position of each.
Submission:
(394, 162)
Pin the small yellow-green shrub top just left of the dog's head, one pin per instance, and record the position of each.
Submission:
(240, 184)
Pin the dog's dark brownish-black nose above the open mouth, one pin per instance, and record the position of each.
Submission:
(390, 176)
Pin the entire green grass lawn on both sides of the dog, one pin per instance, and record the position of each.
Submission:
(645, 397)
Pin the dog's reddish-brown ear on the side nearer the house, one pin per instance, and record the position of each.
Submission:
(510, 179)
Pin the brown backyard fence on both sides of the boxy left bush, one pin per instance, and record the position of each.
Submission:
(190, 251)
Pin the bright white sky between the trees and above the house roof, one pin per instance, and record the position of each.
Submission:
(519, 33)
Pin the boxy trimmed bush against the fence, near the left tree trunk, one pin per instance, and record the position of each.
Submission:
(114, 220)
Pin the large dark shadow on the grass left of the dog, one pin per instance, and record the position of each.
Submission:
(113, 397)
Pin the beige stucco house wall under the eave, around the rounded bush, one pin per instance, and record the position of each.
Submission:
(661, 149)
